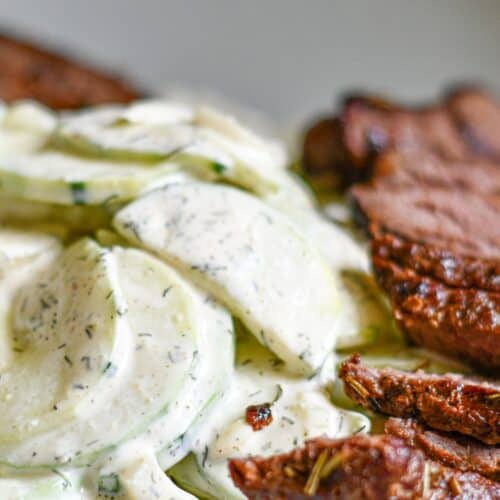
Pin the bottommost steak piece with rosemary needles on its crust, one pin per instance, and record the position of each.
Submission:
(355, 468)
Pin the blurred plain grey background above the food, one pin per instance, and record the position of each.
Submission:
(287, 57)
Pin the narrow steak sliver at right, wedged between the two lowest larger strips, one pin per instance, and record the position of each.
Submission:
(452, 449)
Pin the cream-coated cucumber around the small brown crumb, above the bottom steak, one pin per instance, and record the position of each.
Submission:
(299, 409)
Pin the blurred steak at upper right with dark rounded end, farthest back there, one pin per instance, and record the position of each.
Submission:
(464, 126)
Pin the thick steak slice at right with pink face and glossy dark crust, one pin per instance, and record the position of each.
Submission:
(436, 252)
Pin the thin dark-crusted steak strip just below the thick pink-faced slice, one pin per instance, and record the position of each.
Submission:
(451, 403)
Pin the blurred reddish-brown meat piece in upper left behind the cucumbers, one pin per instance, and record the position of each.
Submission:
(31, 72)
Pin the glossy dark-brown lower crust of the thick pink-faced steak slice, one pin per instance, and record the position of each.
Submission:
(460, 322)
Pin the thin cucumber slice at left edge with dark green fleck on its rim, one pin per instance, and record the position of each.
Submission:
(53, 177)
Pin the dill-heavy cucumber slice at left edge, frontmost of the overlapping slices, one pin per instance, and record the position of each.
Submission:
(61, 350)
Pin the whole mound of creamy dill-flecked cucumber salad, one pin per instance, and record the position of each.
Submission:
(162, 272)
